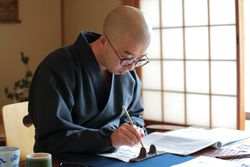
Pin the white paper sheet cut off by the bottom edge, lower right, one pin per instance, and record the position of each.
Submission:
(204, 161)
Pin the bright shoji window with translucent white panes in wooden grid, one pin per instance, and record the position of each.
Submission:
(194, 73)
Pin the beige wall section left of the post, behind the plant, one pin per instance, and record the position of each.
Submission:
(38, 33)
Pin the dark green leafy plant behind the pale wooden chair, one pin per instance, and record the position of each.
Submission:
(20, 89)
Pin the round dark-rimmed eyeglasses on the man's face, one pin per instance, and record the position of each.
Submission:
(129, 61)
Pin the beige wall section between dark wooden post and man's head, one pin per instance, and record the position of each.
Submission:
(87, 15)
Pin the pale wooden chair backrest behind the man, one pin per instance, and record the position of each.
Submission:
(18, 135)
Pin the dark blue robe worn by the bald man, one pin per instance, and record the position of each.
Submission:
(70, 105)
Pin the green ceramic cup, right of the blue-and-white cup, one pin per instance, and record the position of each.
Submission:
(38, 160)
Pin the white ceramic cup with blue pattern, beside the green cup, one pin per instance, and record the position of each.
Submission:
(9, 156)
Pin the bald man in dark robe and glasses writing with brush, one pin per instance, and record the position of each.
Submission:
(78, 91)
